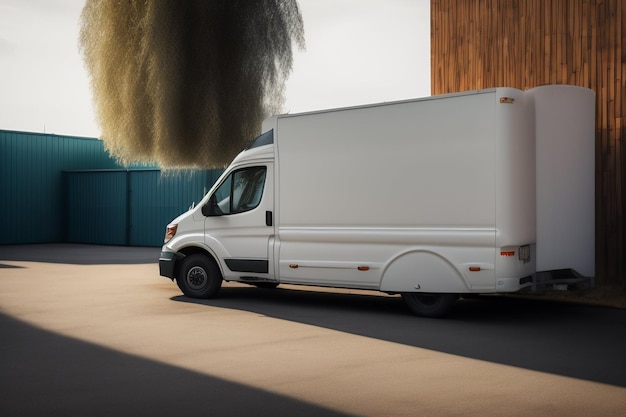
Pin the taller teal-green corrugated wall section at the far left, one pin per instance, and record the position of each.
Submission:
(31, 182)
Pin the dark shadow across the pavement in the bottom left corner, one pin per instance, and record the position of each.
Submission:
(73, 378)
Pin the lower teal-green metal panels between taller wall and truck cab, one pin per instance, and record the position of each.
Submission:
(129, 207)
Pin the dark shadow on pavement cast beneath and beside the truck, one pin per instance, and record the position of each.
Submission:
(564, 339)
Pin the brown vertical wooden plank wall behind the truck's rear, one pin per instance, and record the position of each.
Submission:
(526, 43)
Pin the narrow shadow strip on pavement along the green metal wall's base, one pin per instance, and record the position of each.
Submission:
(79, 254)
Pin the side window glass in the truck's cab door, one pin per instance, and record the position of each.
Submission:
(241, 191)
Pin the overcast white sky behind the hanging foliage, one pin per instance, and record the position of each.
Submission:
(358, 52)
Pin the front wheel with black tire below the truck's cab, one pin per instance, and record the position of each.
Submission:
(199, 276)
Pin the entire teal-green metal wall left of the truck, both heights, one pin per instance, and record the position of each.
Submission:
(67, 189)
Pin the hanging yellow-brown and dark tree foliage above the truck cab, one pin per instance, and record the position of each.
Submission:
(186, 83)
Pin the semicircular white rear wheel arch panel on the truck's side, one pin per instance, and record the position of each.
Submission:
(422, 270)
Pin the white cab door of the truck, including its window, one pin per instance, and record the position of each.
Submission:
(239, 224)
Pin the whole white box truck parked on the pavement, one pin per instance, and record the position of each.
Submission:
(431, 198)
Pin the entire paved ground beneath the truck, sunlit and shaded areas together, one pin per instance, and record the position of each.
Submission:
(92, 330)
